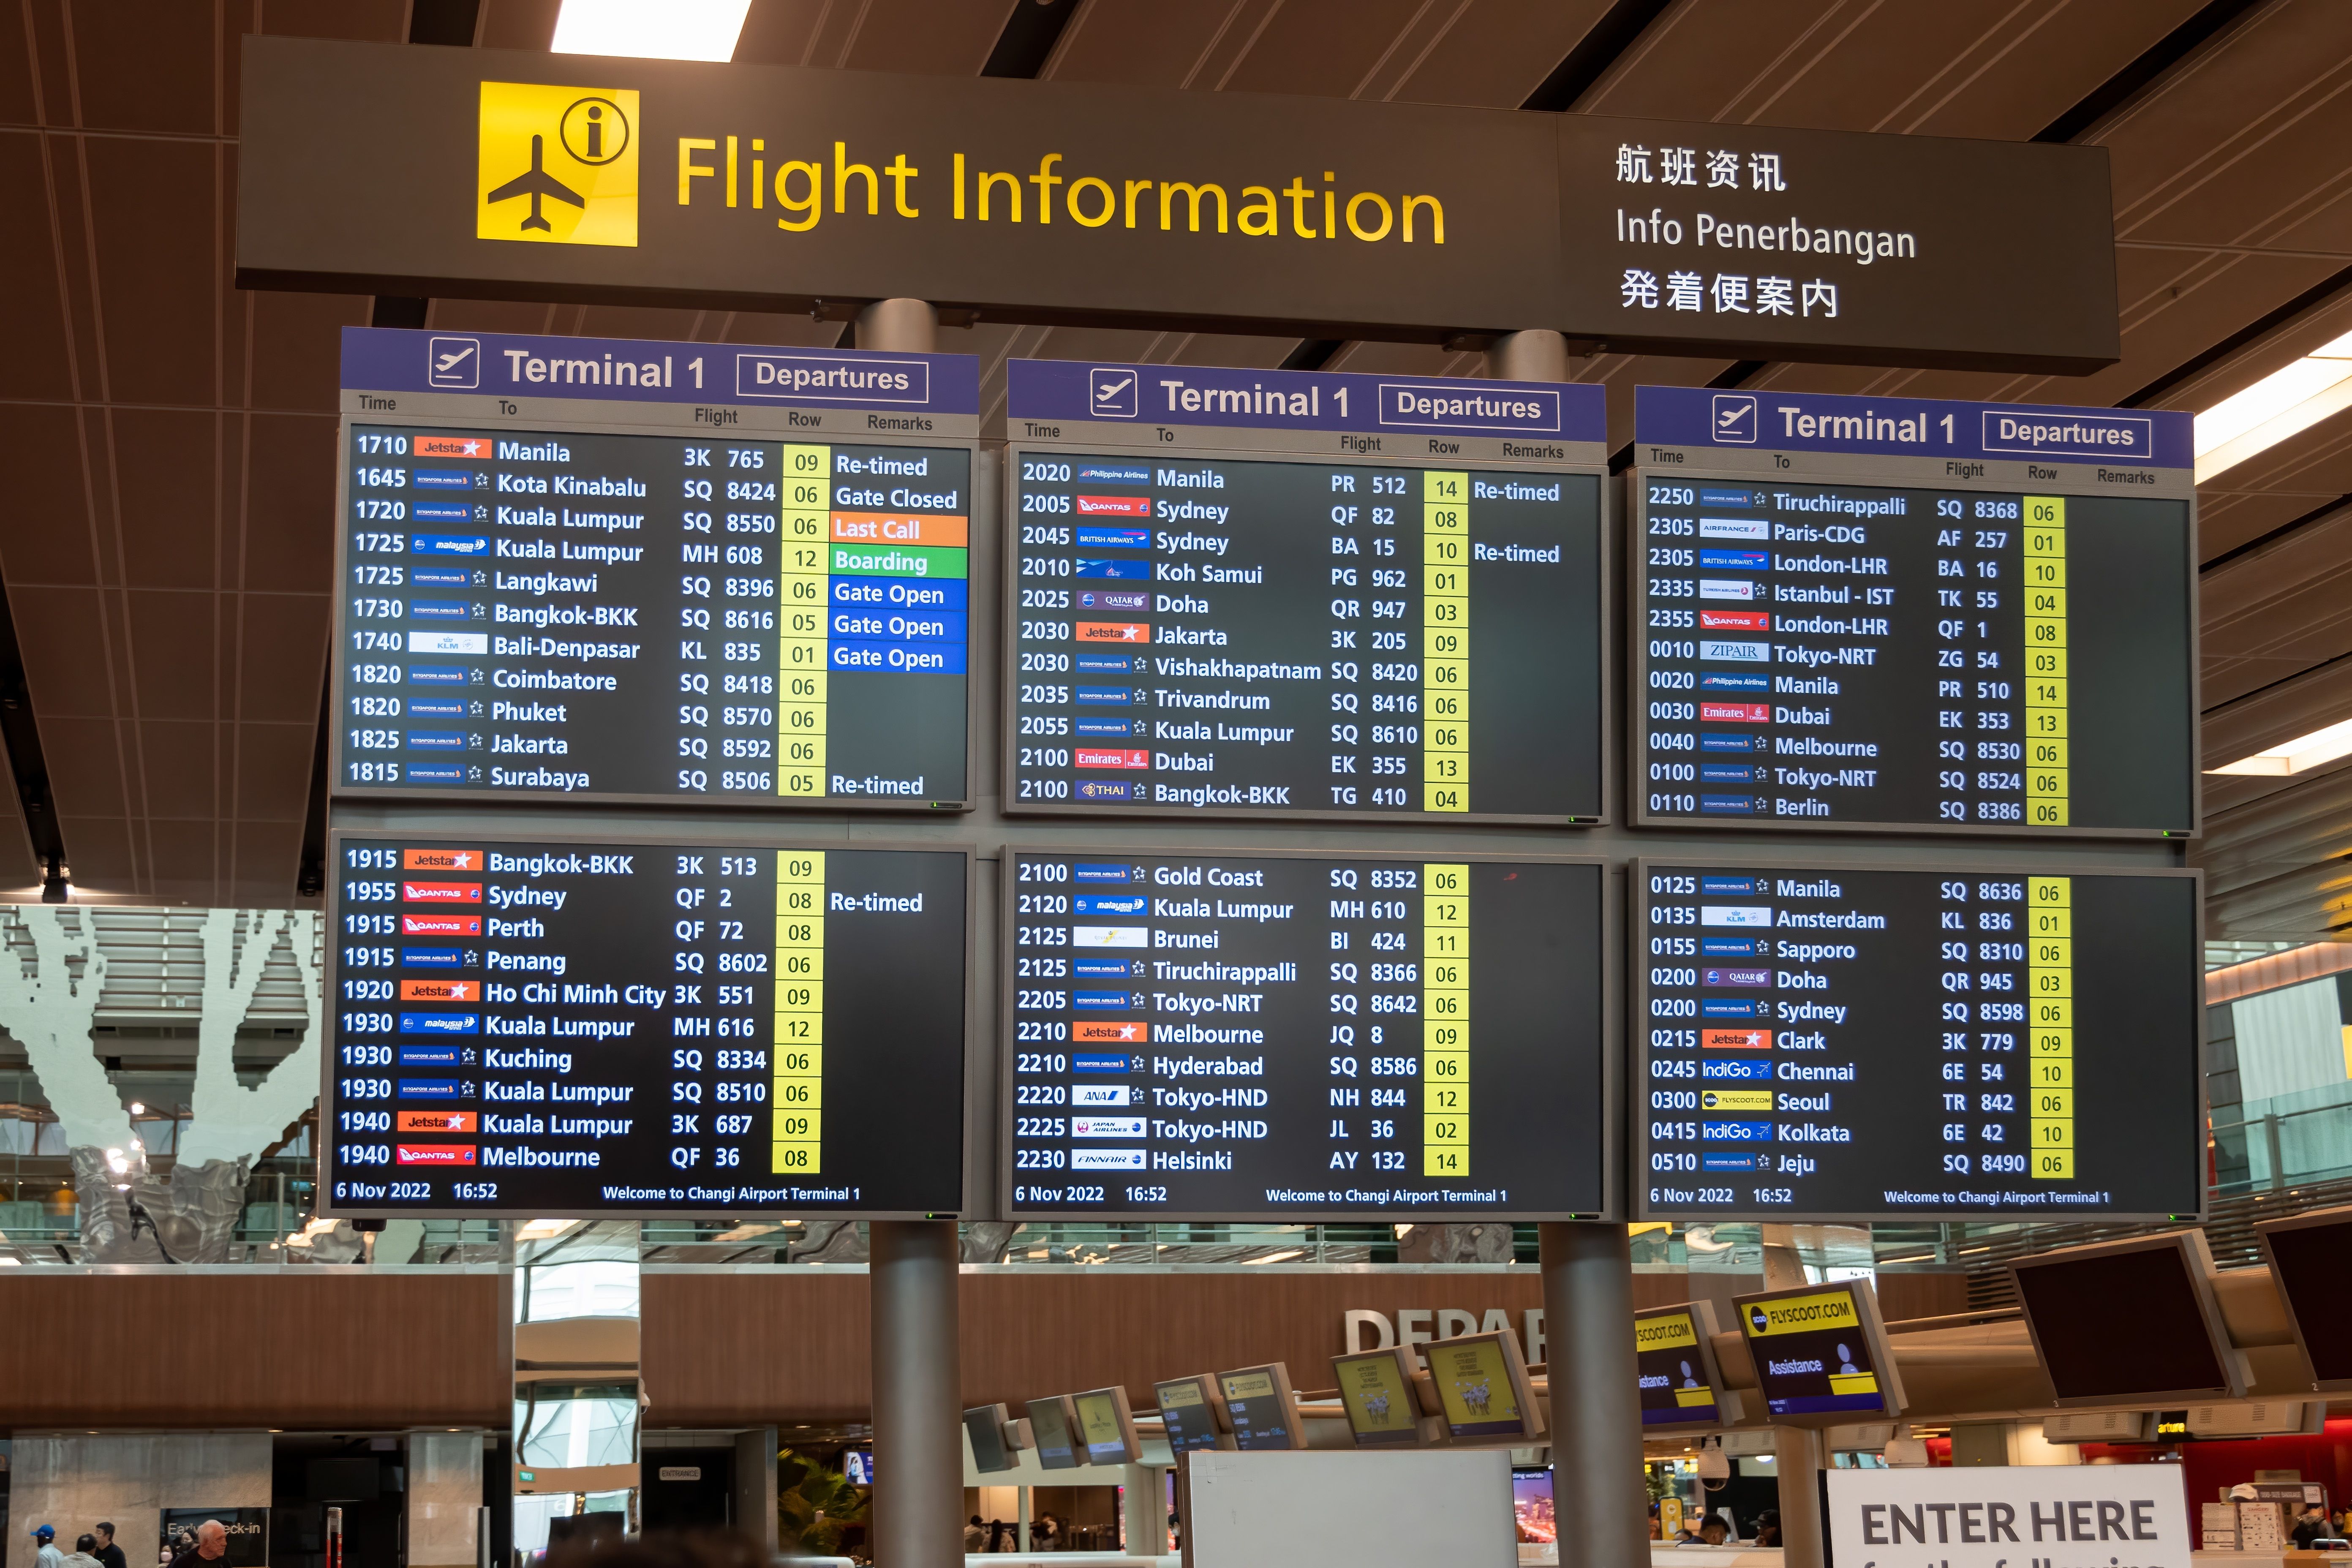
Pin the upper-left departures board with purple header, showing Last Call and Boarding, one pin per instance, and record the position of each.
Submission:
(653, 572)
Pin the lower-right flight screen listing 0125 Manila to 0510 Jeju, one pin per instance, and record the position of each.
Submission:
(1918, 1045)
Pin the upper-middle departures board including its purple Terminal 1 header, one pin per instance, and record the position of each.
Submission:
(1295, 594)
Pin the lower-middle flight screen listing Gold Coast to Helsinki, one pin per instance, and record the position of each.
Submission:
(1241, 1036)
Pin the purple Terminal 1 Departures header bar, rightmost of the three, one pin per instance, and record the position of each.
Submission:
(1909, 427)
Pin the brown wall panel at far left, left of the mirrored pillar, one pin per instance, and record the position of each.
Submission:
(265, 1351)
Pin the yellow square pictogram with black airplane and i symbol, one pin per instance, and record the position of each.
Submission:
(556, 166)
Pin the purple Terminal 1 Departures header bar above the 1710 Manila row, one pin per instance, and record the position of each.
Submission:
(646, 370)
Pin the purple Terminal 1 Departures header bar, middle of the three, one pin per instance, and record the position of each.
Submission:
(1302, 401)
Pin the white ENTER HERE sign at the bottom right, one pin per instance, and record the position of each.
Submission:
(2017, 1515)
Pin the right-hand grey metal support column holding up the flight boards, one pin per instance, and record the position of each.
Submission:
(1596, 1400)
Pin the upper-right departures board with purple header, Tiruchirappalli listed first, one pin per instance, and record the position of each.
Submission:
(1887, 612)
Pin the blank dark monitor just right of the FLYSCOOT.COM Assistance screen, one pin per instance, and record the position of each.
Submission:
(2127, 1322)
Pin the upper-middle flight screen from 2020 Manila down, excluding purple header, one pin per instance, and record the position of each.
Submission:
(1288, 638)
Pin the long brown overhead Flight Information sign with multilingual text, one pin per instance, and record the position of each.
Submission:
(479, 173)
